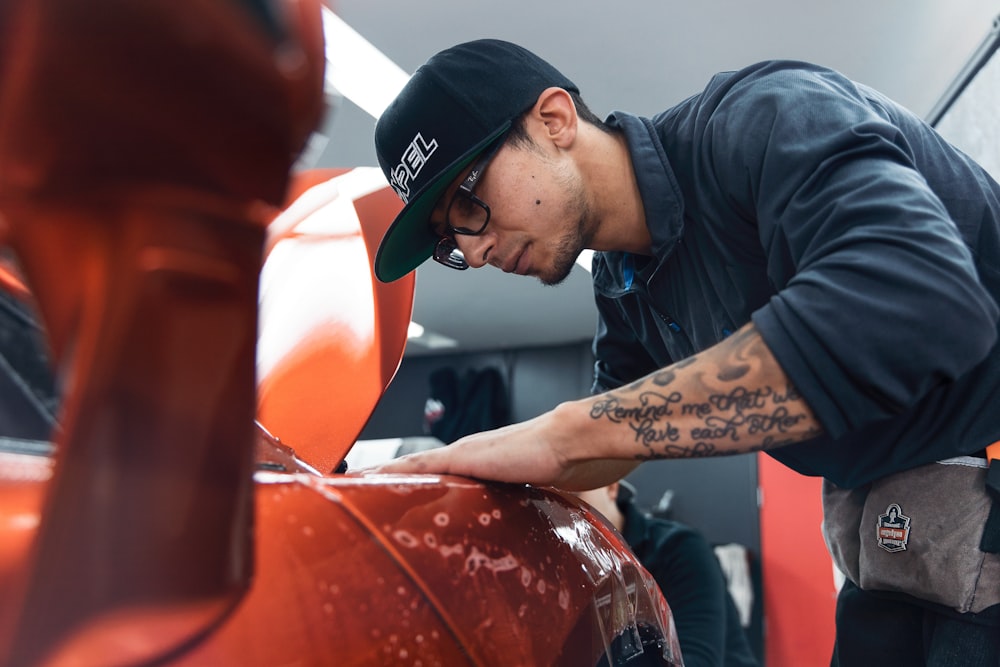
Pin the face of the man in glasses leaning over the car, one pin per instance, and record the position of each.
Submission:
(539, 217)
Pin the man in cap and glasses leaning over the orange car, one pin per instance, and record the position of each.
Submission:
(787, 261)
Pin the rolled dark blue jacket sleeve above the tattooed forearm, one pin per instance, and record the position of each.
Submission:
(878, 300)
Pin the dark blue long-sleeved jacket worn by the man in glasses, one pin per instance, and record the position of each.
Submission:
(865, 248)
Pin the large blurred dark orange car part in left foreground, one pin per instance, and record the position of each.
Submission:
(140, 144)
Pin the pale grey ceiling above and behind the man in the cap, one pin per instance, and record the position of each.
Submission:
(641, 56)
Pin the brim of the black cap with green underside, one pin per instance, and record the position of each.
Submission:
(409, 241)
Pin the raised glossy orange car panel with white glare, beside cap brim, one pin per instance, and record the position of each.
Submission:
(331, 335)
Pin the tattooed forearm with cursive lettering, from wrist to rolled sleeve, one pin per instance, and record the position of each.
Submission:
(730, 399)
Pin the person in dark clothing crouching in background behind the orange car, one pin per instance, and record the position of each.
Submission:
(687, 571)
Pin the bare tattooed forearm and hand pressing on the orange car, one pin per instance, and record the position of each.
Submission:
(731, 399)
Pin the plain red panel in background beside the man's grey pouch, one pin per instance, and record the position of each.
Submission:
(799, 592)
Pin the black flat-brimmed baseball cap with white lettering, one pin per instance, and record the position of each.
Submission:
(453, 107)
